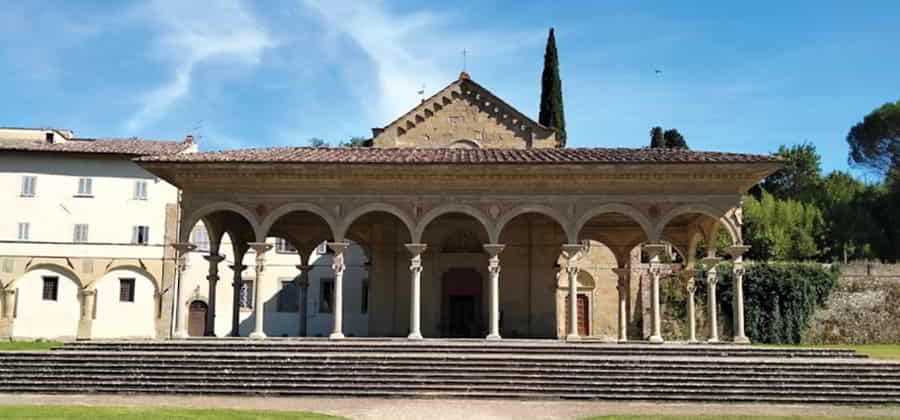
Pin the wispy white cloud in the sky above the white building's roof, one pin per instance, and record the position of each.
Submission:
(190, 34)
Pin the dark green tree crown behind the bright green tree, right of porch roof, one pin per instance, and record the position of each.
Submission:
(801, 176)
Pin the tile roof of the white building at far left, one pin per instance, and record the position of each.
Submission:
(128, 147)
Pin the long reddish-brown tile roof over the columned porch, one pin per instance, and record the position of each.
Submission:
(370, 155)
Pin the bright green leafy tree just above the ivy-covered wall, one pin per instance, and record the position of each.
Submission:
(782, 229)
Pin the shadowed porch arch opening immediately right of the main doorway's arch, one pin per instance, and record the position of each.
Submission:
(529, 297)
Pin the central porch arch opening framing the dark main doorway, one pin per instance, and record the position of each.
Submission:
(454, 263)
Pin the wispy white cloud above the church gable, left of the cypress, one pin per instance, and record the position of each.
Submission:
(409, 50)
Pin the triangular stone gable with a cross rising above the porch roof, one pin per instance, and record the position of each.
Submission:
(464, 114)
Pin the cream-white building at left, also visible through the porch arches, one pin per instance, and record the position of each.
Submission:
(85, 248)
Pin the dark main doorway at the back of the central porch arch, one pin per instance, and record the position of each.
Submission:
(461, 312)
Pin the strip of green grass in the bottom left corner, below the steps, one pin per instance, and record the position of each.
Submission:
(148, 413)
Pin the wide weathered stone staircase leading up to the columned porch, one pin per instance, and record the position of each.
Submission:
(522, 369)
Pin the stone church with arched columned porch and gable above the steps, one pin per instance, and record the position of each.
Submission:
(473, 221)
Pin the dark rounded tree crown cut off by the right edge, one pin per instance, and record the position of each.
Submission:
(875, 142)
